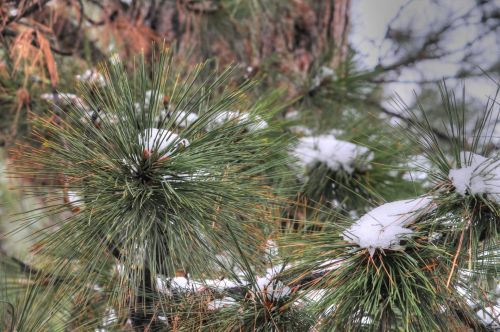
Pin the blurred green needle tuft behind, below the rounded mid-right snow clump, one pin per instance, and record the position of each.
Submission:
(379, 178)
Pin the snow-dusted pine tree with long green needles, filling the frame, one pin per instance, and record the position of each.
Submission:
(168, 192)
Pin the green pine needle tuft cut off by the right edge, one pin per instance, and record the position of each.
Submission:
(470, 221)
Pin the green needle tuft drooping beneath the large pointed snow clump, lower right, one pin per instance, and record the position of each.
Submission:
(400, 289)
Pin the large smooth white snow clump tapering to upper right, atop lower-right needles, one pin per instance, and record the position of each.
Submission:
(384, 226)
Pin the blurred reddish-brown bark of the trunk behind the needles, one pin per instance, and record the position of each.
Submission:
(296, 33)
